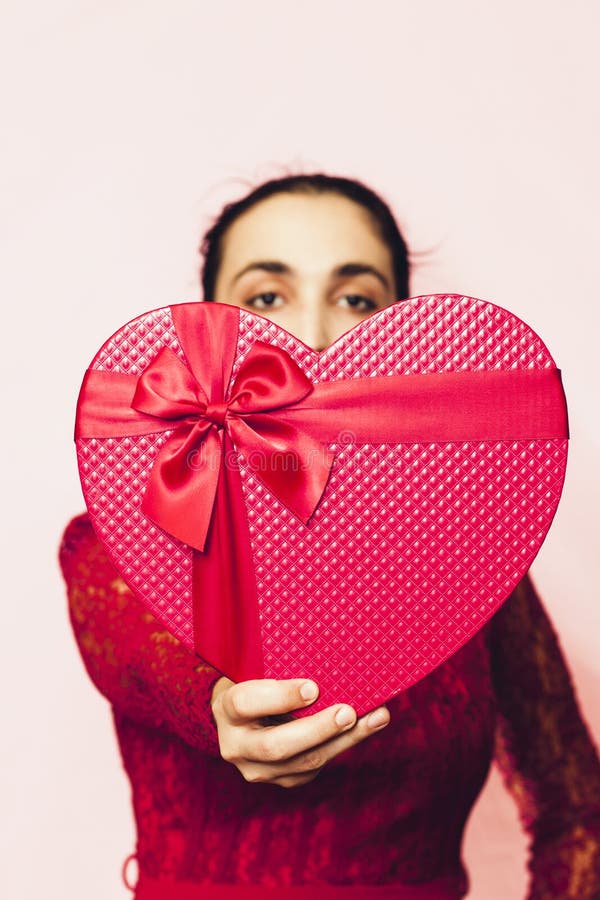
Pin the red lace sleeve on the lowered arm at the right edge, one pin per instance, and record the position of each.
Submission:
(544, 751)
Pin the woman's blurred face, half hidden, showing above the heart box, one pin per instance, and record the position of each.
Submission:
(312, 263)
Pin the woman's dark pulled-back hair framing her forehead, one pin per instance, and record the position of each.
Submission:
(317, 183)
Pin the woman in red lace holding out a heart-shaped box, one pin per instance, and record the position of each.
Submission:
(226, 798)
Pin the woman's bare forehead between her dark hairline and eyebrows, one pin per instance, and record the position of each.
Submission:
(310, 232)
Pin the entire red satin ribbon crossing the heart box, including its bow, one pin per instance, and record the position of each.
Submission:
(280, 423)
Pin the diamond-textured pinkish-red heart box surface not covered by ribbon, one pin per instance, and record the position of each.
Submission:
(413, 547)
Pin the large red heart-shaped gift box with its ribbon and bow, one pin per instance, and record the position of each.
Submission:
(353, 516)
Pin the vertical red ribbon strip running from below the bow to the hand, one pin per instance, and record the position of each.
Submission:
(225, 601)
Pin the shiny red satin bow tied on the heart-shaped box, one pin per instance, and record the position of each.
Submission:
(181, 491)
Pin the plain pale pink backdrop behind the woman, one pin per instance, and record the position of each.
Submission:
(125, 127)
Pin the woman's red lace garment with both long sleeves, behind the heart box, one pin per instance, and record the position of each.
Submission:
(387, 813)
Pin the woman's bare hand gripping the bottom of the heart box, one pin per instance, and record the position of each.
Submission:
(293, 752)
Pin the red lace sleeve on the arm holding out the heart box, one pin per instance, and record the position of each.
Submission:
(134, 662)
